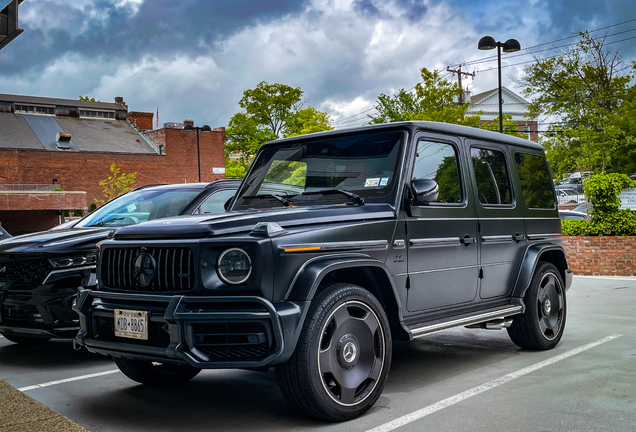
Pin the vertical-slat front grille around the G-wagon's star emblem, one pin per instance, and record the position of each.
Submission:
(174, 270)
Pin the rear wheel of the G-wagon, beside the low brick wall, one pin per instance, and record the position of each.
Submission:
(541, 326)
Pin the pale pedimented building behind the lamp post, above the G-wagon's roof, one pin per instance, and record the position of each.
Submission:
(513, 104)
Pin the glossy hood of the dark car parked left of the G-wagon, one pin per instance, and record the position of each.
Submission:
(61, 241)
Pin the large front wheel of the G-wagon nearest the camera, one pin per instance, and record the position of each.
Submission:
(343, 355)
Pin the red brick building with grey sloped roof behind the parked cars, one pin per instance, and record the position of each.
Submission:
(54, 153)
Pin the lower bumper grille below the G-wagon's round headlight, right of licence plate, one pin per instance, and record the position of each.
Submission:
(232, 341)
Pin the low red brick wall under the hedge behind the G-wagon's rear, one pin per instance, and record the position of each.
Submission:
(601, 256)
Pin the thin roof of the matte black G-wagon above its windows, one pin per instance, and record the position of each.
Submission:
(445, 128)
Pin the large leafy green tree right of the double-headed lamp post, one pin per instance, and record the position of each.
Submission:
(588, 88)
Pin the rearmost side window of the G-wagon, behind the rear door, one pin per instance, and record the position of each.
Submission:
(535, 181)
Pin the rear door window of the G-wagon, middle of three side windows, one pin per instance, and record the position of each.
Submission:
(491, 176)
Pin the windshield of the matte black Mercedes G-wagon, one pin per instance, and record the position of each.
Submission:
(305, 172)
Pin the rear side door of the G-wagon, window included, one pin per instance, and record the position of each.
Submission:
(502, 230)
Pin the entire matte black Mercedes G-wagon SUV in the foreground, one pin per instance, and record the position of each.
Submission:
(377, 233)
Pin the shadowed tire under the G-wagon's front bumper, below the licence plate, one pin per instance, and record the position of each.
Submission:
(155, 374)
